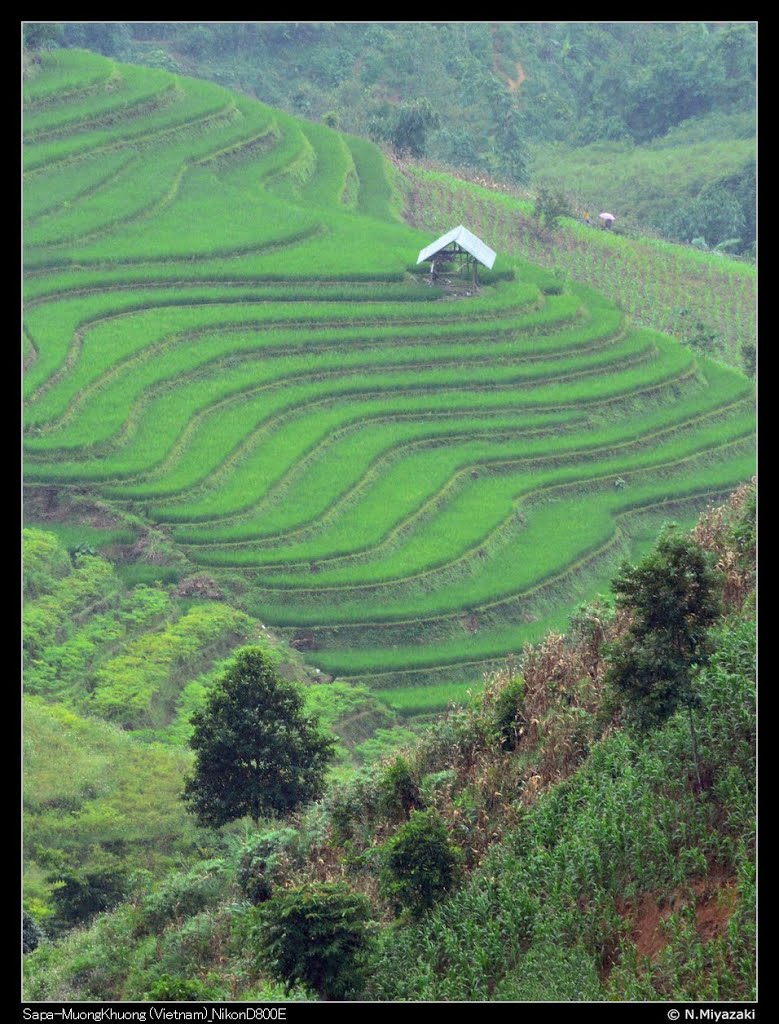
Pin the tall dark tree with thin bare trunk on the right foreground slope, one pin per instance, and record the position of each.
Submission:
(673, 598)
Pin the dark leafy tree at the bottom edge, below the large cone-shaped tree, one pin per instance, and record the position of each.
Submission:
(317, 936)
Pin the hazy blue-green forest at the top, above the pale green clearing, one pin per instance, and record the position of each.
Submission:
(496, 87)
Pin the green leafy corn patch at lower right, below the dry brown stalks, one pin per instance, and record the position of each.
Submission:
(566, 885)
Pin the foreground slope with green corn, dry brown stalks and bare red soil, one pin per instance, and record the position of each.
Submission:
(566, 859)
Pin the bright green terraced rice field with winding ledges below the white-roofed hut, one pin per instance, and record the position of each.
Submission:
(222, 334)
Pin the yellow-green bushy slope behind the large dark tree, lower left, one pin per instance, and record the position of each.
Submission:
(112, 676)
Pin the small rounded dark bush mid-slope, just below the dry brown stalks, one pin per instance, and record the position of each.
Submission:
(419, 864)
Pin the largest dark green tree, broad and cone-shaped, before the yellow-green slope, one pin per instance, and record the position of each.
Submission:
(256, 752)
